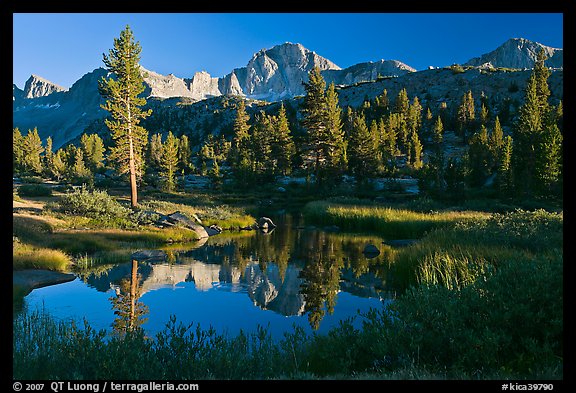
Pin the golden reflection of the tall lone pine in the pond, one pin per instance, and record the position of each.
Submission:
(130, 312)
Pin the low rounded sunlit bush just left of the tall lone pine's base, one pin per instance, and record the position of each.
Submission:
(94, 204)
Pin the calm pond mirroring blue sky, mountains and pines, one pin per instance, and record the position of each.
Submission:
(294, 275)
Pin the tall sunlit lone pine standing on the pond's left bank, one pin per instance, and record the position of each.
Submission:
(122, 92)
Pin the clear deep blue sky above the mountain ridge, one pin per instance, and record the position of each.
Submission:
(62, 47)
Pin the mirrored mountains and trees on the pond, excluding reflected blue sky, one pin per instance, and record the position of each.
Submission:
(290, 271)
